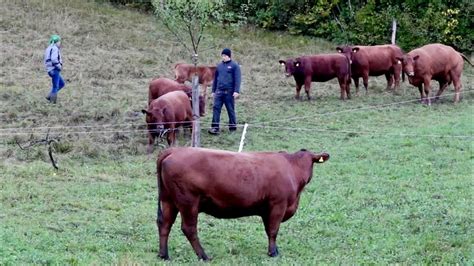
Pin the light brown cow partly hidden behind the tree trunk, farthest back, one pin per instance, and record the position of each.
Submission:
(185, 72)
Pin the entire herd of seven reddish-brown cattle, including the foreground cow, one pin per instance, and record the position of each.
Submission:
(268, 184)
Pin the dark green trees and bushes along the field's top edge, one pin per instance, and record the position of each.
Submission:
(356, 21)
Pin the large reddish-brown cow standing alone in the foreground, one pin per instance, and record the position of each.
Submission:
(229, 185)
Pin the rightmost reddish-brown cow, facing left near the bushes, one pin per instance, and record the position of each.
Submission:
(434, 62)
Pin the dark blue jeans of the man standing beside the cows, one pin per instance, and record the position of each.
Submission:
(224, 98)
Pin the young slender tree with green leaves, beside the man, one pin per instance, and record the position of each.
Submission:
(187, 21)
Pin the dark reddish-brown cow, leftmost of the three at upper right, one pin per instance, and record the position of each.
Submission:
(324, 67)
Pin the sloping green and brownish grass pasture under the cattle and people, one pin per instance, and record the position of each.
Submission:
(397, 189)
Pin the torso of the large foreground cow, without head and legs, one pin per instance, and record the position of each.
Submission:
(226, 180)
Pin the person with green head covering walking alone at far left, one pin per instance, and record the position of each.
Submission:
(53, 64)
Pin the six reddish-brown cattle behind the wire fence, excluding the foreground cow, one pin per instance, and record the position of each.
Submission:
(431, 62)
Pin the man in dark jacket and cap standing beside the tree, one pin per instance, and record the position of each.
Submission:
(225, 89)
